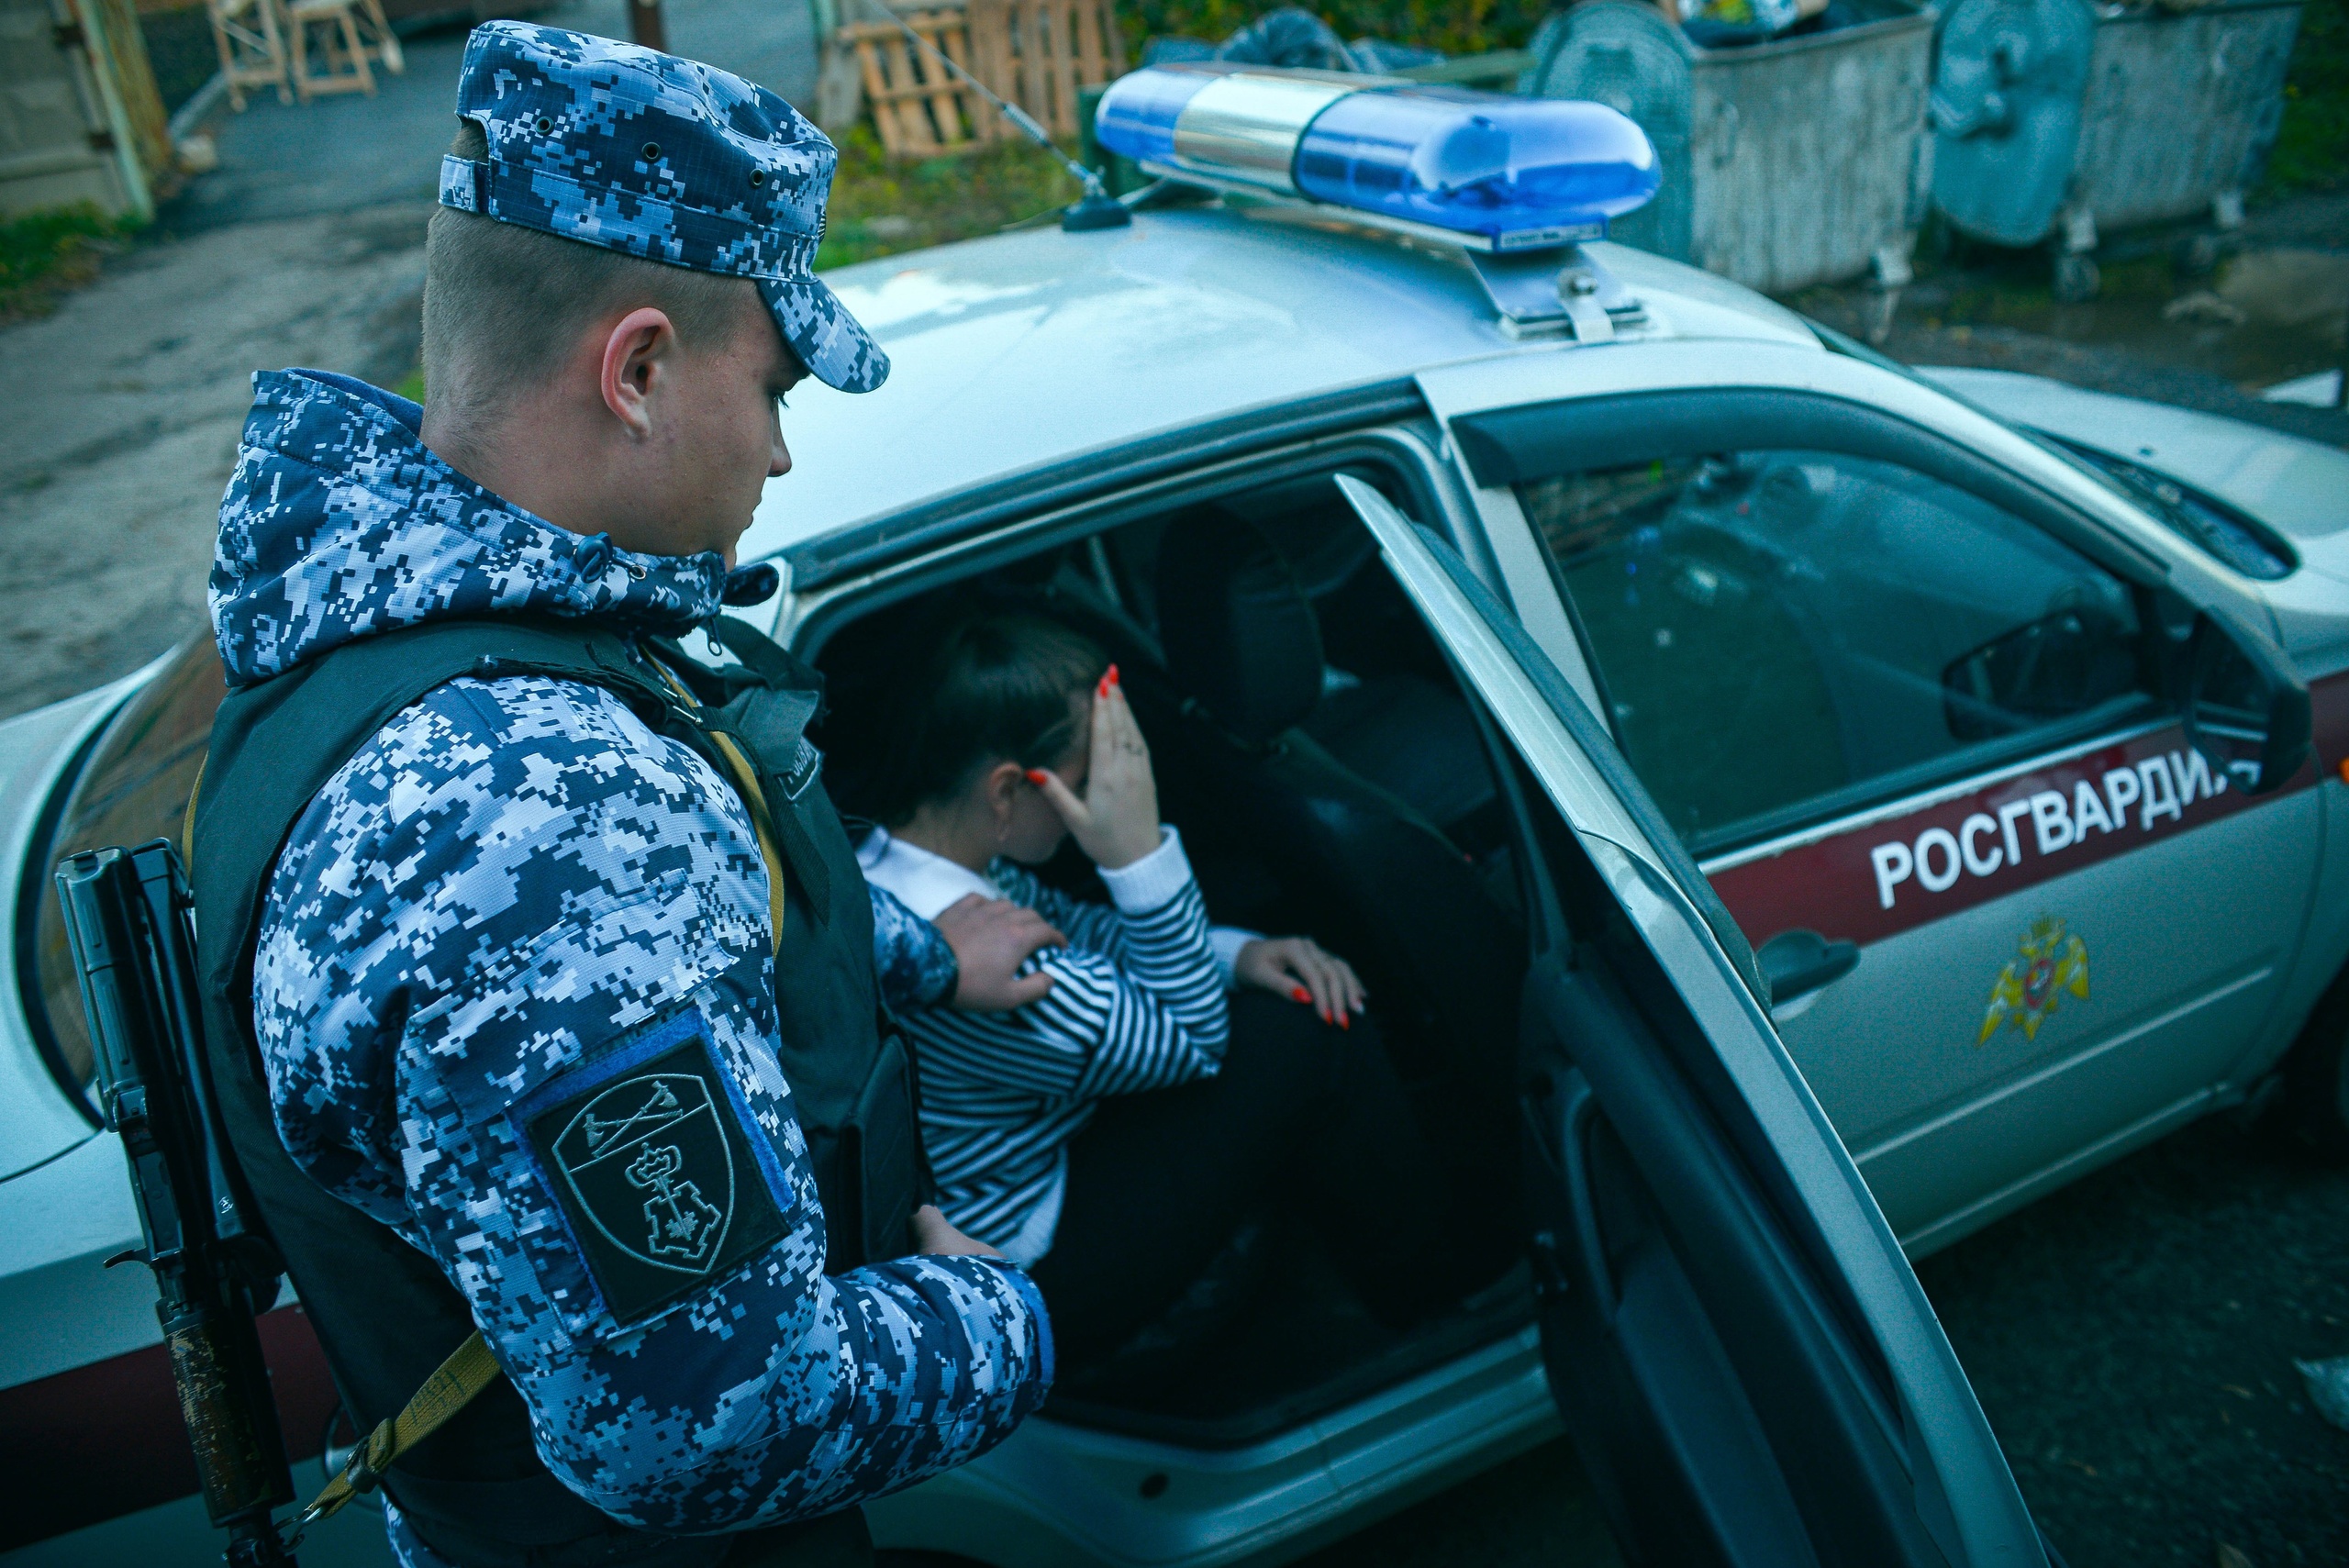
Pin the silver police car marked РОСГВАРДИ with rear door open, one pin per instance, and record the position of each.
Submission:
(1871, 799)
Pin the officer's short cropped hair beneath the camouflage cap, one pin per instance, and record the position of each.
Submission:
(504, 304)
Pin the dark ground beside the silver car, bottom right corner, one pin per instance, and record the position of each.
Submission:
(2134, 1339)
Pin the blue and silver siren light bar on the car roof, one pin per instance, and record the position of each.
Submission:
(1514, 182)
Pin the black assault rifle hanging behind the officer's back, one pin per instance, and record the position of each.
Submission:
(128, 914)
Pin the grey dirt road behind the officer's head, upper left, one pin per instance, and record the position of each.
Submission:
(307, 248)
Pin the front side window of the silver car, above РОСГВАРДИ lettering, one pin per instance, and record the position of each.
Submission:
(1784, 633)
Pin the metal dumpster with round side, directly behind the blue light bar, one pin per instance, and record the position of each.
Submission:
(1791, 163)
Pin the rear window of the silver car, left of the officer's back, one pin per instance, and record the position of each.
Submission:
(133, 790)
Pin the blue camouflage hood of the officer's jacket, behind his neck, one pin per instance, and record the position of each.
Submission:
(342, 525)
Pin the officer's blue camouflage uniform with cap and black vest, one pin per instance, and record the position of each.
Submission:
(516, 975)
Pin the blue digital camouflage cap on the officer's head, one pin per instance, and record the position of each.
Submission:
(661, 158)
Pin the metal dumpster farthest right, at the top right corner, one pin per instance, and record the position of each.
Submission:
(2064, 119)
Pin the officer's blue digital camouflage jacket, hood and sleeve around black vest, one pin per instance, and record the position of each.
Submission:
(511, 881)
